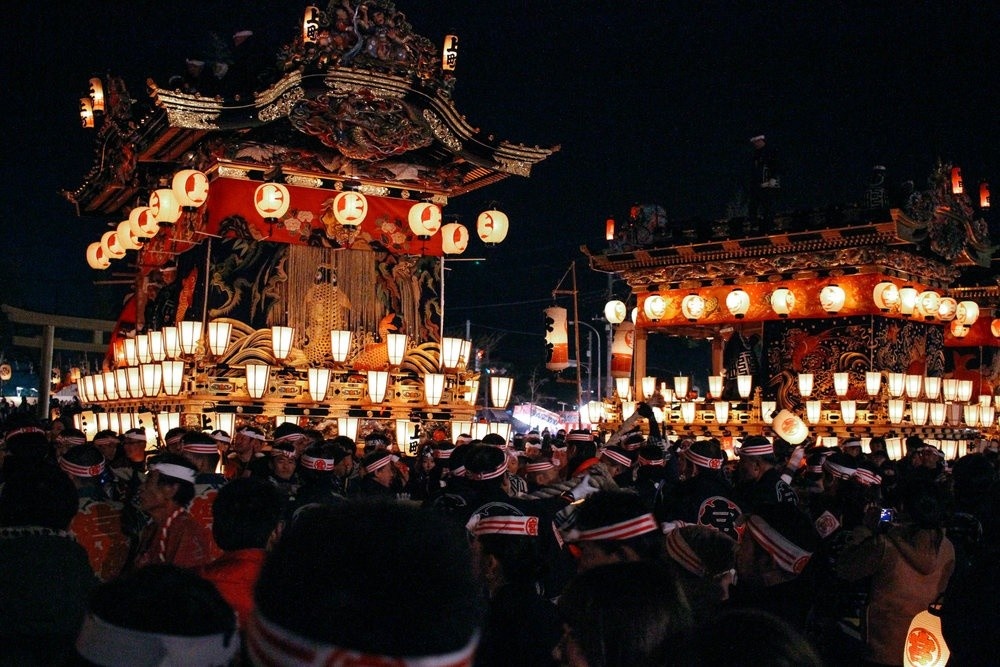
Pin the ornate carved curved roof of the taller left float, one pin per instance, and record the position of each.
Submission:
(366, 103)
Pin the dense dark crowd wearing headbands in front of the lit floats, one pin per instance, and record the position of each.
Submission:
(289, 548)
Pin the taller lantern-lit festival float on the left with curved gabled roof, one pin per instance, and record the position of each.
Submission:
(287, 234)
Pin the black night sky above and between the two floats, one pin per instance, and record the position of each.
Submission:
(651, 102)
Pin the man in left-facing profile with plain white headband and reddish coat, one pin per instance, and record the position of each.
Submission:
(173, 535)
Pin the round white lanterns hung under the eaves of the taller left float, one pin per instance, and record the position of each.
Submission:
(189, 191)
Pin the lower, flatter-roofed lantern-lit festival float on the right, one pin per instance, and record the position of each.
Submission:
(858, 321)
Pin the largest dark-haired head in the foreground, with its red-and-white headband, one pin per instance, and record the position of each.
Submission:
(330, 592)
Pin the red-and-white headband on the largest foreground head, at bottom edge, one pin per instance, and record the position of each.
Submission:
(270, 644)
